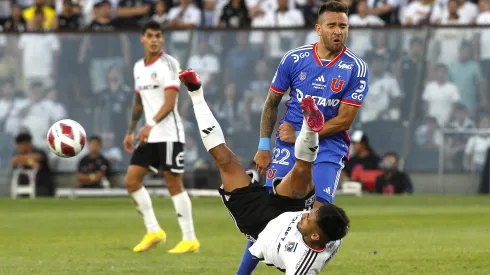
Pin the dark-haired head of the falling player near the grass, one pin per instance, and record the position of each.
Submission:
(324, 224)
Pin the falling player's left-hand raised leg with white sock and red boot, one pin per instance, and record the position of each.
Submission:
(233, 175)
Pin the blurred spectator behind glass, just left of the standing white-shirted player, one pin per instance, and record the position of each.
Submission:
(114, 104)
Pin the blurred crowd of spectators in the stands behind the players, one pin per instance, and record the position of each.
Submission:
(429, 87)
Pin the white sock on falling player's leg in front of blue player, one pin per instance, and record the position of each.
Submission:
(306, 146)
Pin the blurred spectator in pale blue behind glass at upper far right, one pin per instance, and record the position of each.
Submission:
(465, 73)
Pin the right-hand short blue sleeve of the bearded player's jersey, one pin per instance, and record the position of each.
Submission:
(357, 88)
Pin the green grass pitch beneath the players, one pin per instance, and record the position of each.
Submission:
(389, 235)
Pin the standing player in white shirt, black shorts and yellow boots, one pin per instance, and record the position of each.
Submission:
(161, 140)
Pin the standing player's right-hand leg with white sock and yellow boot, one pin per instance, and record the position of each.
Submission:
(183, 208)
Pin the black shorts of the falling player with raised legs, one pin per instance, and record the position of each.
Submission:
(253, 207)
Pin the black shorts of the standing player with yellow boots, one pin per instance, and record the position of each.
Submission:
(164, 156)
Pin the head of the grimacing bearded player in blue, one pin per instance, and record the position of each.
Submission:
(332, 25)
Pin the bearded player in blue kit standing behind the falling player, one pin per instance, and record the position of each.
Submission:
(337, 80)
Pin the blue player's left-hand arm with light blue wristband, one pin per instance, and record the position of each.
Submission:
(267, 122)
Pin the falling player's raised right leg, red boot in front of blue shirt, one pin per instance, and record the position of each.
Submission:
(299, 181)
